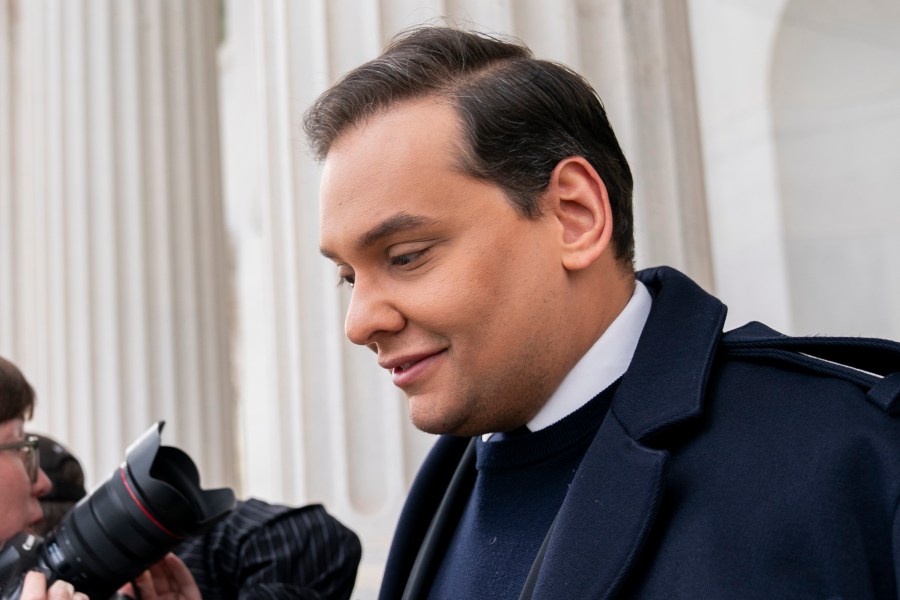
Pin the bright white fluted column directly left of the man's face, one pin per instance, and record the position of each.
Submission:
(320, 423)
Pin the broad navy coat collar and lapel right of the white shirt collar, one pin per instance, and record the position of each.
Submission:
(620, 485)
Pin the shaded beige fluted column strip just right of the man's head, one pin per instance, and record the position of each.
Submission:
(667, 162)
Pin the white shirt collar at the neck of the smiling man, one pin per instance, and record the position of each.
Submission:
(604, 362)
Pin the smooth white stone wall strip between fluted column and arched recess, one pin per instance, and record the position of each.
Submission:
(732, 43)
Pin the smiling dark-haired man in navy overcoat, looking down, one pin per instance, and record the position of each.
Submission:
(602, 436)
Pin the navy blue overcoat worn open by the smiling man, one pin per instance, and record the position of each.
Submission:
(740, 465)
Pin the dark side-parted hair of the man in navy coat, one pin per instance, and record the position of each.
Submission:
(521, 116)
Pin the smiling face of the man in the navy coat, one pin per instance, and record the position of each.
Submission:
(457, 294)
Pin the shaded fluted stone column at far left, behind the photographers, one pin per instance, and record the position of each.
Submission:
(113, 250)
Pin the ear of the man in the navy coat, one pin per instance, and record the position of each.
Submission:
(580, 203)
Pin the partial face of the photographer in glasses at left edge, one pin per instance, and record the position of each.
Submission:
(19, 507)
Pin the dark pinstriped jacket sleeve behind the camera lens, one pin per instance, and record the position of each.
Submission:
(264, 551)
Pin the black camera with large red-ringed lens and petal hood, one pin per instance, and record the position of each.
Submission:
(151, 503)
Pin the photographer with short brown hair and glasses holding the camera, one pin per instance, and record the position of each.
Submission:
(22, 482)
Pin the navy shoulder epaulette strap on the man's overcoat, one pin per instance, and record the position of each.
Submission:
(871, 363)
